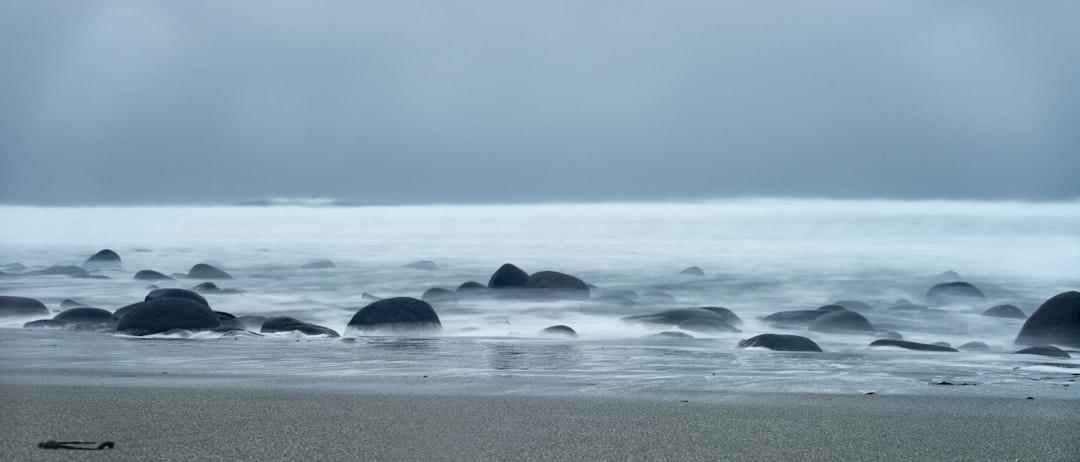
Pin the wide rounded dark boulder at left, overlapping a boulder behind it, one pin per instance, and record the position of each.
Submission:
(165, 315)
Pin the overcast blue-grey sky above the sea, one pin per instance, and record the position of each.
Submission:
(152, 102)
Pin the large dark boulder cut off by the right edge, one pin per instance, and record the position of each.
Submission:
(1057, 321)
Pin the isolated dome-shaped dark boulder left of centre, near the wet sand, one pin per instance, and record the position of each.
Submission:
(401, 315)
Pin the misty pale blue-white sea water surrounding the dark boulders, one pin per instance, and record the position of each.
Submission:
(760, 256)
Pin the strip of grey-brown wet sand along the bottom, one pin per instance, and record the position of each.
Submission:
(155, 423)
